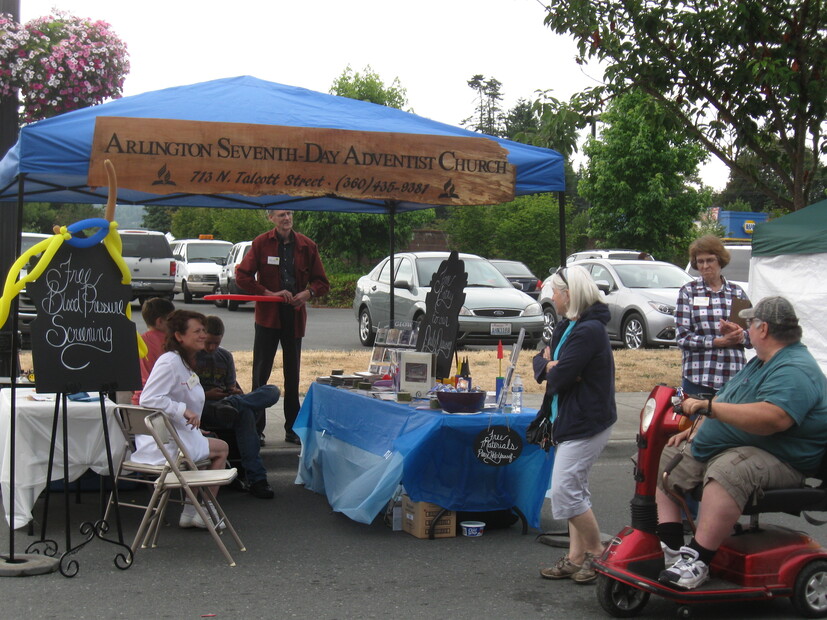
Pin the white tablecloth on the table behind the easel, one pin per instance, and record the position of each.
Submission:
(34, 428)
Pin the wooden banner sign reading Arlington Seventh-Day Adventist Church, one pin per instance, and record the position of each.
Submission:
(164, 156)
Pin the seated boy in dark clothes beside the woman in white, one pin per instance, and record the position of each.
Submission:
(227, 407)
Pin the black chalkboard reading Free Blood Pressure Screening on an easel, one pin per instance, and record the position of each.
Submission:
(81, 338)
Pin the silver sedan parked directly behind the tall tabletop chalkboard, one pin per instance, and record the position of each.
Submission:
(494, 310)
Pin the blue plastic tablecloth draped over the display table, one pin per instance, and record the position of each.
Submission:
(357, 449)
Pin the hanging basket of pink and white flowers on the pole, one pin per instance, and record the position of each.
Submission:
(60, 63)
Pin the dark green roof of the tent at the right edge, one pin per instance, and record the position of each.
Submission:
(800, 232)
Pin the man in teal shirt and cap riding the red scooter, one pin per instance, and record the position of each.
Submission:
(766, 429)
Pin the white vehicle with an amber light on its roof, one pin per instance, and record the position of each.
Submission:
(198, 263)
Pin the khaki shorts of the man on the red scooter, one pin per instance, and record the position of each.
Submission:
(740, 471)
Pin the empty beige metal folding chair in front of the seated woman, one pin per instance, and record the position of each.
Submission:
(178, 473)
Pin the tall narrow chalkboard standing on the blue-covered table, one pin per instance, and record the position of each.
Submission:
(438, 330)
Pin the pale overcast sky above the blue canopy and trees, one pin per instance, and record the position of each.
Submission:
(432, 46)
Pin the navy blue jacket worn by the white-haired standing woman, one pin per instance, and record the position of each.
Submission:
(584, 377)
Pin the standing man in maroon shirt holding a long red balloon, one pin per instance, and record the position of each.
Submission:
(285, 263)
